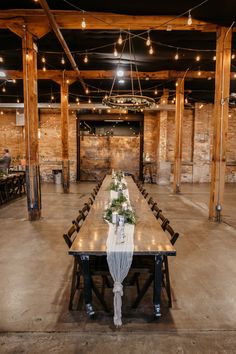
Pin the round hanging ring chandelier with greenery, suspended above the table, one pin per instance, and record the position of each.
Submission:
(133, 100)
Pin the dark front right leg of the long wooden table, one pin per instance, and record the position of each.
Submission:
(157, 285)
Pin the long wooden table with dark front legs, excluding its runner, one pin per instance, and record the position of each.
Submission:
(149, 238)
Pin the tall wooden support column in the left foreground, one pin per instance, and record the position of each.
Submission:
(31, 125)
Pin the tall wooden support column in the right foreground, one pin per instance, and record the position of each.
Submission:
(220, 121)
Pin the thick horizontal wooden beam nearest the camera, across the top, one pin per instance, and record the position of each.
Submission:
(100, 20)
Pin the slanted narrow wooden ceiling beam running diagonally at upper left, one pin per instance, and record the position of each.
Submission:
(61, 39)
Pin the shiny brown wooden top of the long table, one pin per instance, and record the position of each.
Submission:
(149, 238)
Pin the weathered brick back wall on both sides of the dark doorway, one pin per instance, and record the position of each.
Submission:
(159, 135)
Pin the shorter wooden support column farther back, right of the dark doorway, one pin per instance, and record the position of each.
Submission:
(178, 133)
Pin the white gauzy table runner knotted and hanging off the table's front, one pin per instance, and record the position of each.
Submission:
(119, 259)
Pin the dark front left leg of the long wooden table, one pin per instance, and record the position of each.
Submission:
(87, 285)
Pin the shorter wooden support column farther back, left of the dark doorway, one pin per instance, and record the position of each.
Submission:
(64, 135)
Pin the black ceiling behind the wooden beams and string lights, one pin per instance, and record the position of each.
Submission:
(99, 46)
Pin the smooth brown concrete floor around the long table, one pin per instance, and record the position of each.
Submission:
(35, 271)
